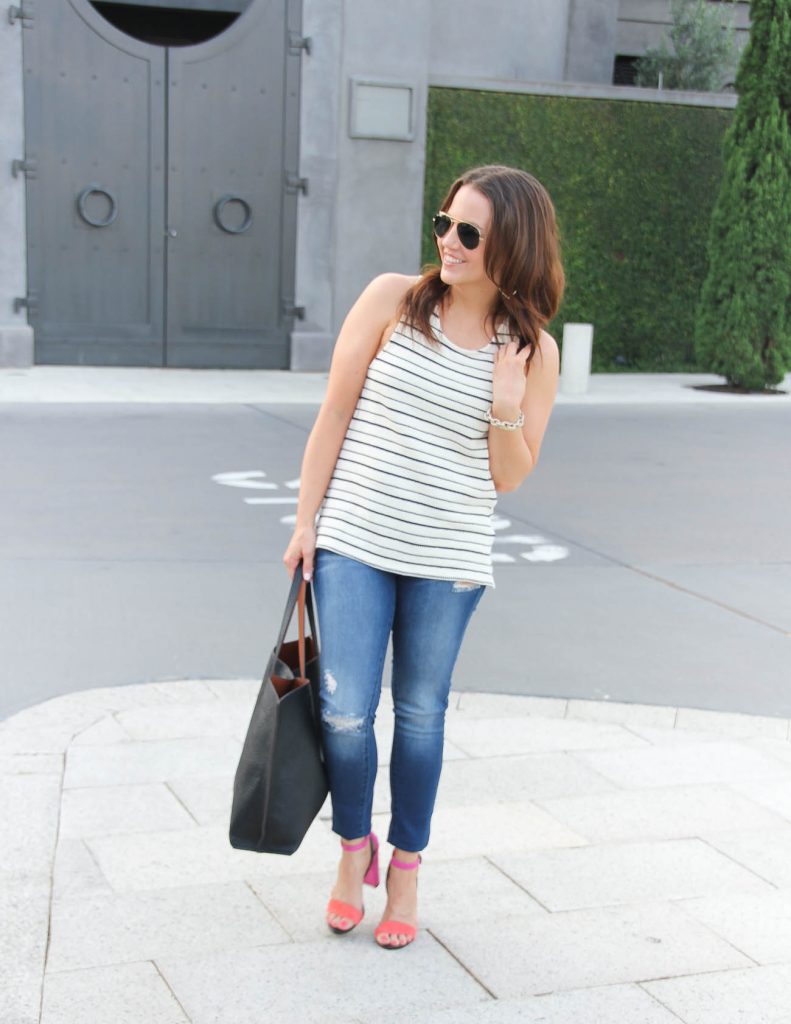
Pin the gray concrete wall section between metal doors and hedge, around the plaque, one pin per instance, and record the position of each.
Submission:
(362, 216)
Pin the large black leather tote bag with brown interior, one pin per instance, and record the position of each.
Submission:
(281, 781)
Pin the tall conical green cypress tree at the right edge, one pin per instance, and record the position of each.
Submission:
(743, 321)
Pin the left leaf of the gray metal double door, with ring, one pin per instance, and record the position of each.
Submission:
(95, 120)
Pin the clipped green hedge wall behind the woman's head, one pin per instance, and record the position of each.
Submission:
(634, 185)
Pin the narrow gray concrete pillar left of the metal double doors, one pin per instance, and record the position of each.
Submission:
(16, 335)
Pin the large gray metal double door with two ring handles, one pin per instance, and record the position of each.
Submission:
(161, 226)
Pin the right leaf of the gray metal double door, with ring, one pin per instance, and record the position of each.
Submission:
(226, 131)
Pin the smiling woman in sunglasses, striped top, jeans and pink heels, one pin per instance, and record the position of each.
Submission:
(440, 392)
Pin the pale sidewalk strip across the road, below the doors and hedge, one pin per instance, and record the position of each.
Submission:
(131, 385)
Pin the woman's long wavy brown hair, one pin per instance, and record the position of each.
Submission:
(522, 257)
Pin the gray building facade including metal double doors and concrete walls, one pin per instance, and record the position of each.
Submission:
(214, 187)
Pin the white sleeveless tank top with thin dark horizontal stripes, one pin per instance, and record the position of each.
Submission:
(411, 492)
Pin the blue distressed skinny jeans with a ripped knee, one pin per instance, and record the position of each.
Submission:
(358, 608)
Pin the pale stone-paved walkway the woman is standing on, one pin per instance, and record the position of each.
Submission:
(591, 864)
